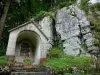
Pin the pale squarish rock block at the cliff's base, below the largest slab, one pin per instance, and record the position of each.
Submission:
(72, 46)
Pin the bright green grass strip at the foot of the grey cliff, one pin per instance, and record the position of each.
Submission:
(68, 61)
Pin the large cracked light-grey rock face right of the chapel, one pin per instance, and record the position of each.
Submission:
(74, 29)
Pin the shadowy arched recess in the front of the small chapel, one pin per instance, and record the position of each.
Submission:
(27, 44)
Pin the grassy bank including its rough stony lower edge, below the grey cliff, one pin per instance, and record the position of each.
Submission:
(64, 64)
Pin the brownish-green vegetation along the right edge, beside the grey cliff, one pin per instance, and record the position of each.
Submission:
(95, 22)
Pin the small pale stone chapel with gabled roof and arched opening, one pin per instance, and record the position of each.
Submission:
(27, 40)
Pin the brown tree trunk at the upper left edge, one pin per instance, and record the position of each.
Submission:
(3, 18)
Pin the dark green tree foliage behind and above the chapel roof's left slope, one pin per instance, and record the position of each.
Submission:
(18, 14)
